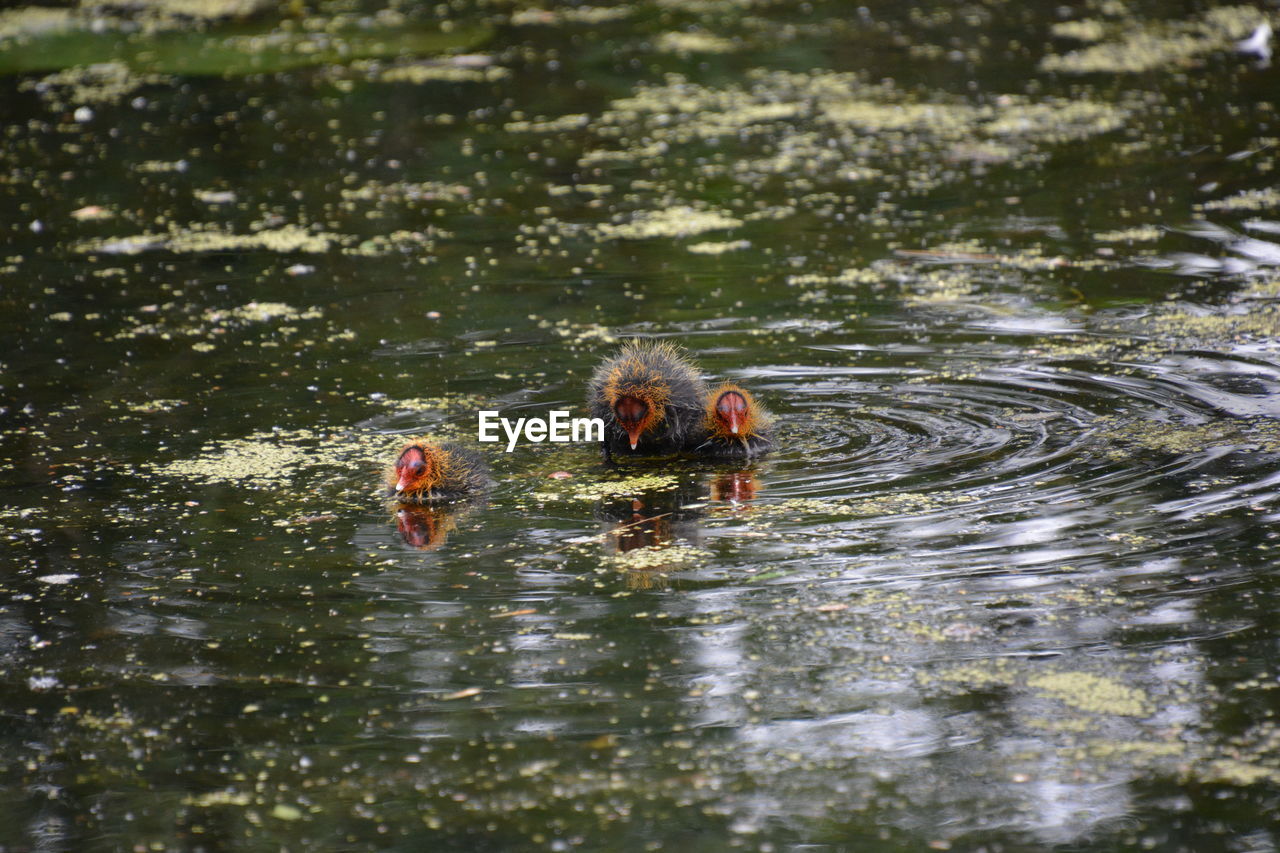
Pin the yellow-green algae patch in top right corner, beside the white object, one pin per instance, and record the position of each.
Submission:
(1142, 47)
